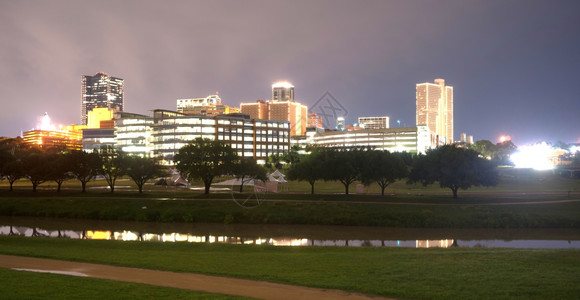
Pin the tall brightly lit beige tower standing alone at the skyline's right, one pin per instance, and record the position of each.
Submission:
(435, 108)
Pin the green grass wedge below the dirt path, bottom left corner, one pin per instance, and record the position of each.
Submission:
(32, 285)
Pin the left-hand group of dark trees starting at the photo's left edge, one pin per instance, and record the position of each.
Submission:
(19, 160)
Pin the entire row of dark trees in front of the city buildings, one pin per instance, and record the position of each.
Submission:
(451, 166)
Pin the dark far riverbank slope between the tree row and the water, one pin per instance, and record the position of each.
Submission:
(476, 210)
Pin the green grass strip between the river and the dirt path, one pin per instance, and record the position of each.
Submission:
(454, 273)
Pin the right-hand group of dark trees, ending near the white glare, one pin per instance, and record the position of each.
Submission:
(451, 166)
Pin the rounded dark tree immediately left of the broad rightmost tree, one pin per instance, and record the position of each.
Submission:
(383, 168)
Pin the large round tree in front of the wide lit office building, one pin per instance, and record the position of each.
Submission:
(205, 159)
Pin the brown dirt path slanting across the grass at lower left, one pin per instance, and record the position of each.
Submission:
(189, 281)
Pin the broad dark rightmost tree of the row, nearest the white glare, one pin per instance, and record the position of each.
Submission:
(454, 168)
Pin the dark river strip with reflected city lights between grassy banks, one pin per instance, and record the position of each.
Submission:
(286, 235)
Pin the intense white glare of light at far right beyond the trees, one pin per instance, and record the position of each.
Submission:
(539, 157)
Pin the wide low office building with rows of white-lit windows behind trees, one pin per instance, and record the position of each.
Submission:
(164, 133)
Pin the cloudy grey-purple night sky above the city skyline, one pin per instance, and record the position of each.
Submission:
(514, 65)
